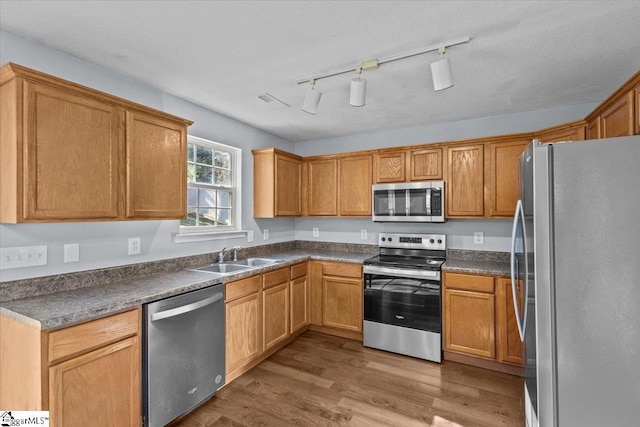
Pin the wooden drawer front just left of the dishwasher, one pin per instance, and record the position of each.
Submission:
(87, 336)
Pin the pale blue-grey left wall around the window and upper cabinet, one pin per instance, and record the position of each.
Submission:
(104, 244)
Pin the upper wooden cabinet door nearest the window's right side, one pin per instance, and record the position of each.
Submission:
(288, 185)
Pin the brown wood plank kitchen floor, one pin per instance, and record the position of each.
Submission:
(321, 380)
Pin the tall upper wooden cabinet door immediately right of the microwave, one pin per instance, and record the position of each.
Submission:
(465, 181)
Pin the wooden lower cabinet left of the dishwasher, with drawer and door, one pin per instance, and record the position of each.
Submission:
(88, 374)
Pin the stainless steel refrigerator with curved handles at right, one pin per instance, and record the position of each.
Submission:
(576, 250)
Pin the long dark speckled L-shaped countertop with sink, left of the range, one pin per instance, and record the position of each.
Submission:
(67, 307)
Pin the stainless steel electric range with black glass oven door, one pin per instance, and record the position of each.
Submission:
(402, 295)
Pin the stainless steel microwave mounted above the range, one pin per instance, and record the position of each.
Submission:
(408, 202)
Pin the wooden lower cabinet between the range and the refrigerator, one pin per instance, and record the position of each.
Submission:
(479, 325)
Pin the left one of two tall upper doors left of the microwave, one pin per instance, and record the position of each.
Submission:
(323, 186)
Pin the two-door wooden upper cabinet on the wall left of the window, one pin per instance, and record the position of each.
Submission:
(70, 153)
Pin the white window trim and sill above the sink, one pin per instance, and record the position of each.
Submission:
(199, 233)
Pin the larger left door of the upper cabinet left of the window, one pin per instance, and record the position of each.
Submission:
(72, 156)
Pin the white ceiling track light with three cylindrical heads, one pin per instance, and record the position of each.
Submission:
(440, 73)
